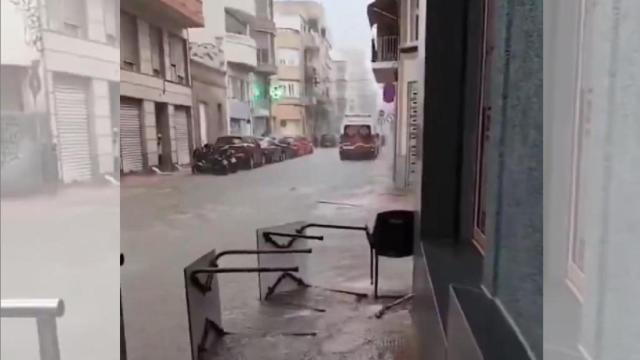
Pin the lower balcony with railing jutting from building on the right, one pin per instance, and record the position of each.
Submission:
(384, 58)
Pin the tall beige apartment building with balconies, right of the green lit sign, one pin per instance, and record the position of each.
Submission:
(304, 69)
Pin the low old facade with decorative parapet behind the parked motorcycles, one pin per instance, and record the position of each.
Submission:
(209, 74)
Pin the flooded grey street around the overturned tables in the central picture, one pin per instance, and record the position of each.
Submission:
(169, 221)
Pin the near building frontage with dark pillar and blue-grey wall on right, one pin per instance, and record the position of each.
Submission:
(478, 261)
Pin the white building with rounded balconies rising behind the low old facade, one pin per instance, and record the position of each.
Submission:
(230, 21)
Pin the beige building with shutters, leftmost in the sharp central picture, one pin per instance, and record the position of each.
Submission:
(155, 83)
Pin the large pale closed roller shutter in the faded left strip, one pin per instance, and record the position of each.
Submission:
(72, 123)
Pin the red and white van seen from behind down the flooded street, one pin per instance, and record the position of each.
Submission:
(359, 138)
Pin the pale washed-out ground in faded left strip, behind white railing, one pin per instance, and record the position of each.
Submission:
(64, 246)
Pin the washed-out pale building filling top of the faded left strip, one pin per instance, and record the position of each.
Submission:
(62, 66)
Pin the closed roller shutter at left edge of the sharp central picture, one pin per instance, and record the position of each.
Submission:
(130, 136)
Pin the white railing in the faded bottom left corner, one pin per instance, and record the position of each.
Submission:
(45, 312)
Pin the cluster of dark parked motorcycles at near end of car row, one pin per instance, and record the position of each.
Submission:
(211, 160)
